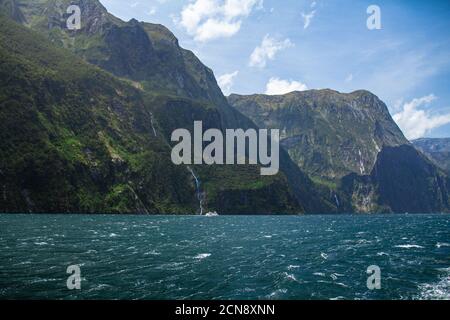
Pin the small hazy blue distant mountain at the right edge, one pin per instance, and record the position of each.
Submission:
(437, 150)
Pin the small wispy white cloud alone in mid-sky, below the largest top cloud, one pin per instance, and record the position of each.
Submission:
(267, 51)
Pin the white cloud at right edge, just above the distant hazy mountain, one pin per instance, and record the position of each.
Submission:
(416, 123)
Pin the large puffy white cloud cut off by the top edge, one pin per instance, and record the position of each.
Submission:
(212, 19)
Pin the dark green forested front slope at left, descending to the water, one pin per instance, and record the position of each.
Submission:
(75, 139)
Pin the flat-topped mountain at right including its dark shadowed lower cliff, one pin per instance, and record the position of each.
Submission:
(349, 144)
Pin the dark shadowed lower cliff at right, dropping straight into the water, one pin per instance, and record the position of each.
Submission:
(402, 181)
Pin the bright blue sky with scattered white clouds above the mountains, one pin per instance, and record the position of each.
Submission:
(397, 49)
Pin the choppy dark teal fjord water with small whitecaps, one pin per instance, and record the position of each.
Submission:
(235, 257)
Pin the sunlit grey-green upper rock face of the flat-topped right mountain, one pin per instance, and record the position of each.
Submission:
(328, 134)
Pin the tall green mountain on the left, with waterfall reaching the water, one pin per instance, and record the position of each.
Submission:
(106, 134)
